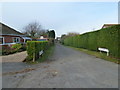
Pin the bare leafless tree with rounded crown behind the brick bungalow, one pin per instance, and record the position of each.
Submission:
(32, 29)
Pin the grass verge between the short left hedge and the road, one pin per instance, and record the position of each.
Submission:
(44, 57)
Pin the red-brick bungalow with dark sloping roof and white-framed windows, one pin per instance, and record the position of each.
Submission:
(9, 36)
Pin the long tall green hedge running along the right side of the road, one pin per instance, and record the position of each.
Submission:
(105, 38)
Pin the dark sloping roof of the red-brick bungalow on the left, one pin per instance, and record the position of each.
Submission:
(6, 30)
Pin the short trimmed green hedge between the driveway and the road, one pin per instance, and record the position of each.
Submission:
(33, 48)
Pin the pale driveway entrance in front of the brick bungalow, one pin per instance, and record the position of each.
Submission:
(13, 62)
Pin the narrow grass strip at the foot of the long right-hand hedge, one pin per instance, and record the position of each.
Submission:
(98, 55)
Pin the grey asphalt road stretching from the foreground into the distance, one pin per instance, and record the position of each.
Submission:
(67, 68)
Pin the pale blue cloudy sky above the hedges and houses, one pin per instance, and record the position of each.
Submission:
(63, 17)
